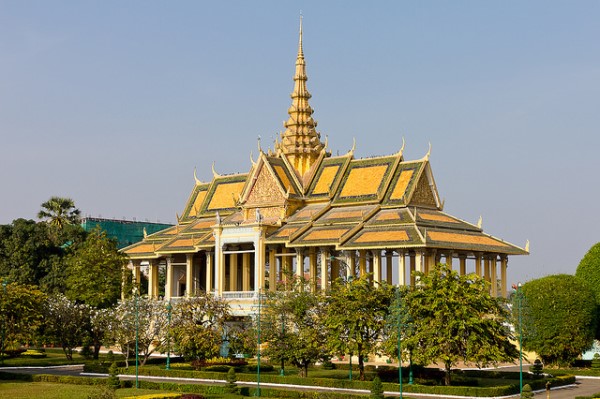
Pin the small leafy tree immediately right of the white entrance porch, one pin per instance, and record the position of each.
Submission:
(292, 322)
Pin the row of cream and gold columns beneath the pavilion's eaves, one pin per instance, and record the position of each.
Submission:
(236, 273)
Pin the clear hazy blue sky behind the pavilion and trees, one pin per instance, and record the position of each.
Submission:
(114, 103)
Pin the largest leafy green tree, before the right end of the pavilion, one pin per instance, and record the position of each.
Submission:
(455, 318)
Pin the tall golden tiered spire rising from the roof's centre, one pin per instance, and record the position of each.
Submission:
(300, 142)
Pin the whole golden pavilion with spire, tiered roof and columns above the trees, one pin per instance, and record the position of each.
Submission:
(301, 210)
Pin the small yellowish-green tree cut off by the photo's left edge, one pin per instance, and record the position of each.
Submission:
(21, 309)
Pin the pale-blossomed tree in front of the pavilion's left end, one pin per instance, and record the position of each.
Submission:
(141, 316)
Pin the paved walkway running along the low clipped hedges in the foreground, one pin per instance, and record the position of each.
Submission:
(583, 386)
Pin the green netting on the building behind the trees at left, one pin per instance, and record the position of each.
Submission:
(126, 232)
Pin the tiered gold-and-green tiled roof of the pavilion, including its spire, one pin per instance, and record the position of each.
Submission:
(302, 196)
